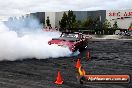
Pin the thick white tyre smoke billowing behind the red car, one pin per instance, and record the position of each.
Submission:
(29, 45)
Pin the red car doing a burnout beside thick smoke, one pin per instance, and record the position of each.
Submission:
(73, 40)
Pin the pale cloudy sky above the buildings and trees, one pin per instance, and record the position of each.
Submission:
(20, 7)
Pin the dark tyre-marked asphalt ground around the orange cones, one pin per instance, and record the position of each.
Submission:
(107, 57)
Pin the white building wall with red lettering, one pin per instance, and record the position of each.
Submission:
(123, 17)
